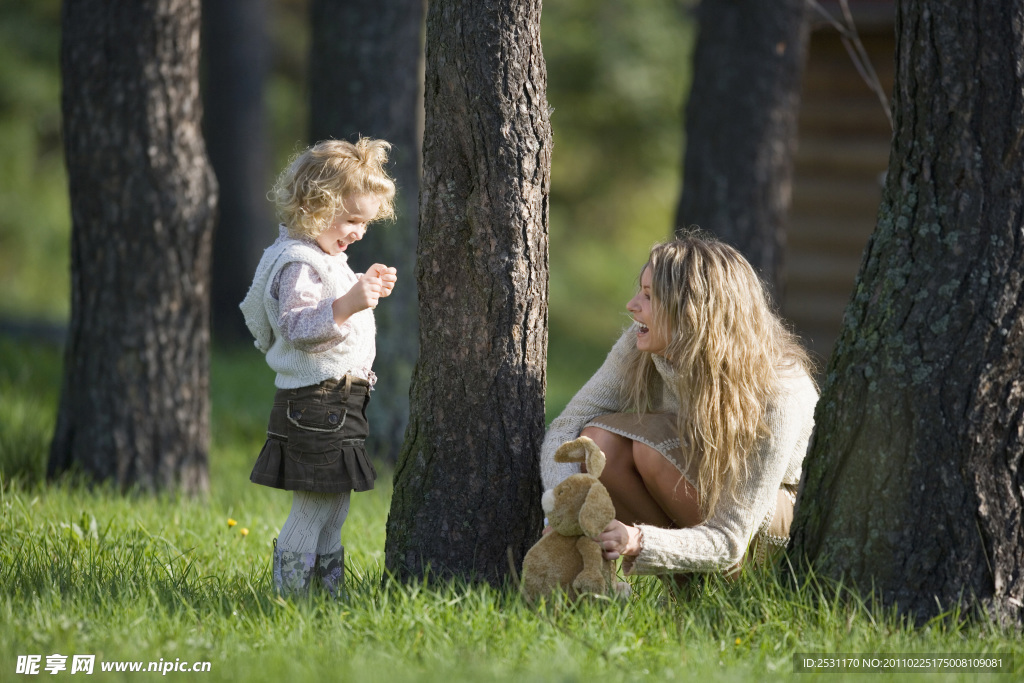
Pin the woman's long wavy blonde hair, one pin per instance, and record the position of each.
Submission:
(729, 348)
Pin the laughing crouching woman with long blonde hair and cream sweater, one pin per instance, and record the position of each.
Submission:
(704, 409)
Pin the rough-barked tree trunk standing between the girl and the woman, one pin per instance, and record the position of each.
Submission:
(467, 488)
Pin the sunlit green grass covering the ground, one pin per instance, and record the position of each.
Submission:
(166, 580)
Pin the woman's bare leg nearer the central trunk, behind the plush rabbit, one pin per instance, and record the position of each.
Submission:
(634, 503)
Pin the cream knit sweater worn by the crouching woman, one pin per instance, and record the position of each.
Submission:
(721, 541)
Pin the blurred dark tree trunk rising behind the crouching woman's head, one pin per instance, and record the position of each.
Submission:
(742, 126)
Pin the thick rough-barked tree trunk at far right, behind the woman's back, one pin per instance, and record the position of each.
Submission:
(915, 484)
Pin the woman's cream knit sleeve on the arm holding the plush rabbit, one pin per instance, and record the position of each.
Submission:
(721, 541)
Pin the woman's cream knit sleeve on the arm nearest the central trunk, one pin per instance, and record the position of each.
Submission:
(602, 395)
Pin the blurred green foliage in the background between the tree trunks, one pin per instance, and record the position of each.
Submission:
(618, 74)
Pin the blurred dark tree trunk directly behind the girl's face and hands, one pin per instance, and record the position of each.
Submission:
(366, 76)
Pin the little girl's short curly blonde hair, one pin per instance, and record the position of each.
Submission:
(314, 187)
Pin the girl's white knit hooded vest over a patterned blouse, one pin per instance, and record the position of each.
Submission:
(297, 368)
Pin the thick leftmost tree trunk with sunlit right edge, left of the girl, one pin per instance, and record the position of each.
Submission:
(135, 406)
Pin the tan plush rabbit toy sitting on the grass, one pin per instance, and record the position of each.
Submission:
(578, 510)
